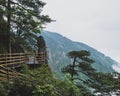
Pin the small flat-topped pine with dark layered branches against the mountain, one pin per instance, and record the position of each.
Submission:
(81, 63)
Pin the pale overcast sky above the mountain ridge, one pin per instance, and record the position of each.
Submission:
(93, 22)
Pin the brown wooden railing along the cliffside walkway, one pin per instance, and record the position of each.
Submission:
(10, 61)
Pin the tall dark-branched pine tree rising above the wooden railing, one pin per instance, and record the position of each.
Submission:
(23, 19)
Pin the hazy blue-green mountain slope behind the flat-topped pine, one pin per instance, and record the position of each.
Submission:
(58, 47)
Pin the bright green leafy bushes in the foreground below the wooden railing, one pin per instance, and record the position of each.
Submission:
(37, 82)
